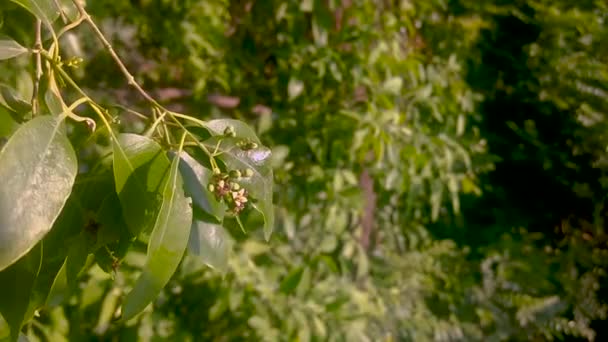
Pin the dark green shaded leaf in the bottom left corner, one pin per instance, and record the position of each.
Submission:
(16, 284)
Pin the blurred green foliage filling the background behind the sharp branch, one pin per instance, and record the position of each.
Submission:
(440, 167)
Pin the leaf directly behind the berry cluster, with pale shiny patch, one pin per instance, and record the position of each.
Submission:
(259, 185)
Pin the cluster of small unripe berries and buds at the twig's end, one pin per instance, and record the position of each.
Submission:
(225, 187)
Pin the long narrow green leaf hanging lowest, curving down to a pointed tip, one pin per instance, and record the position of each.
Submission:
(167, 244)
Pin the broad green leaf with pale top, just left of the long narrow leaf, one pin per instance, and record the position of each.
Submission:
(139, 169)
